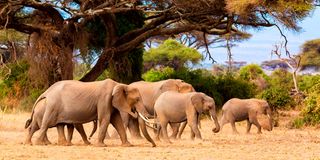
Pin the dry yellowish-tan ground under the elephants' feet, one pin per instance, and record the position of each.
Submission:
(281, 143)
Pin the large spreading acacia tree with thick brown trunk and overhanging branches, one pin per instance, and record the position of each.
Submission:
(57, 24)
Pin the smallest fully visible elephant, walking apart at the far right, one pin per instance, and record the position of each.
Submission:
(236, 110)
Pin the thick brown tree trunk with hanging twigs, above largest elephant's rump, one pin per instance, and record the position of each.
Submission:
(49, 62)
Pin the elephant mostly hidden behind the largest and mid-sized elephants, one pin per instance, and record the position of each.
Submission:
(150, 91)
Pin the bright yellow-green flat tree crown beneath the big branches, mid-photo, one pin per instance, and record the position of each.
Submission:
(171, 53)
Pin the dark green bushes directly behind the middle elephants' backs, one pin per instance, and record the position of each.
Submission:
(221, 88)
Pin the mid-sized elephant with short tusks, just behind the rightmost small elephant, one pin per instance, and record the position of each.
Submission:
(177, 107)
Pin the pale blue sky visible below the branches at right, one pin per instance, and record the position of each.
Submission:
(258, 47)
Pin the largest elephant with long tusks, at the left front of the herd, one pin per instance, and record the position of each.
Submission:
(75, 102)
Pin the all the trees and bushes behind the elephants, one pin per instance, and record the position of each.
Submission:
(43, 42)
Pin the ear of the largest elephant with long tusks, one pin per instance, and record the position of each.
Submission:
(119, 99)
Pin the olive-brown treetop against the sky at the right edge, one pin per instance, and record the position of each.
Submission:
(310, 55)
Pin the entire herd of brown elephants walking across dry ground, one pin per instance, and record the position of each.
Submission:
(72, 103)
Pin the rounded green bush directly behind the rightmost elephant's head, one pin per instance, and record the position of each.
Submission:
(278, 98)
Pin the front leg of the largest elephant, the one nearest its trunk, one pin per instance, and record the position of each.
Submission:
(117, 123)
